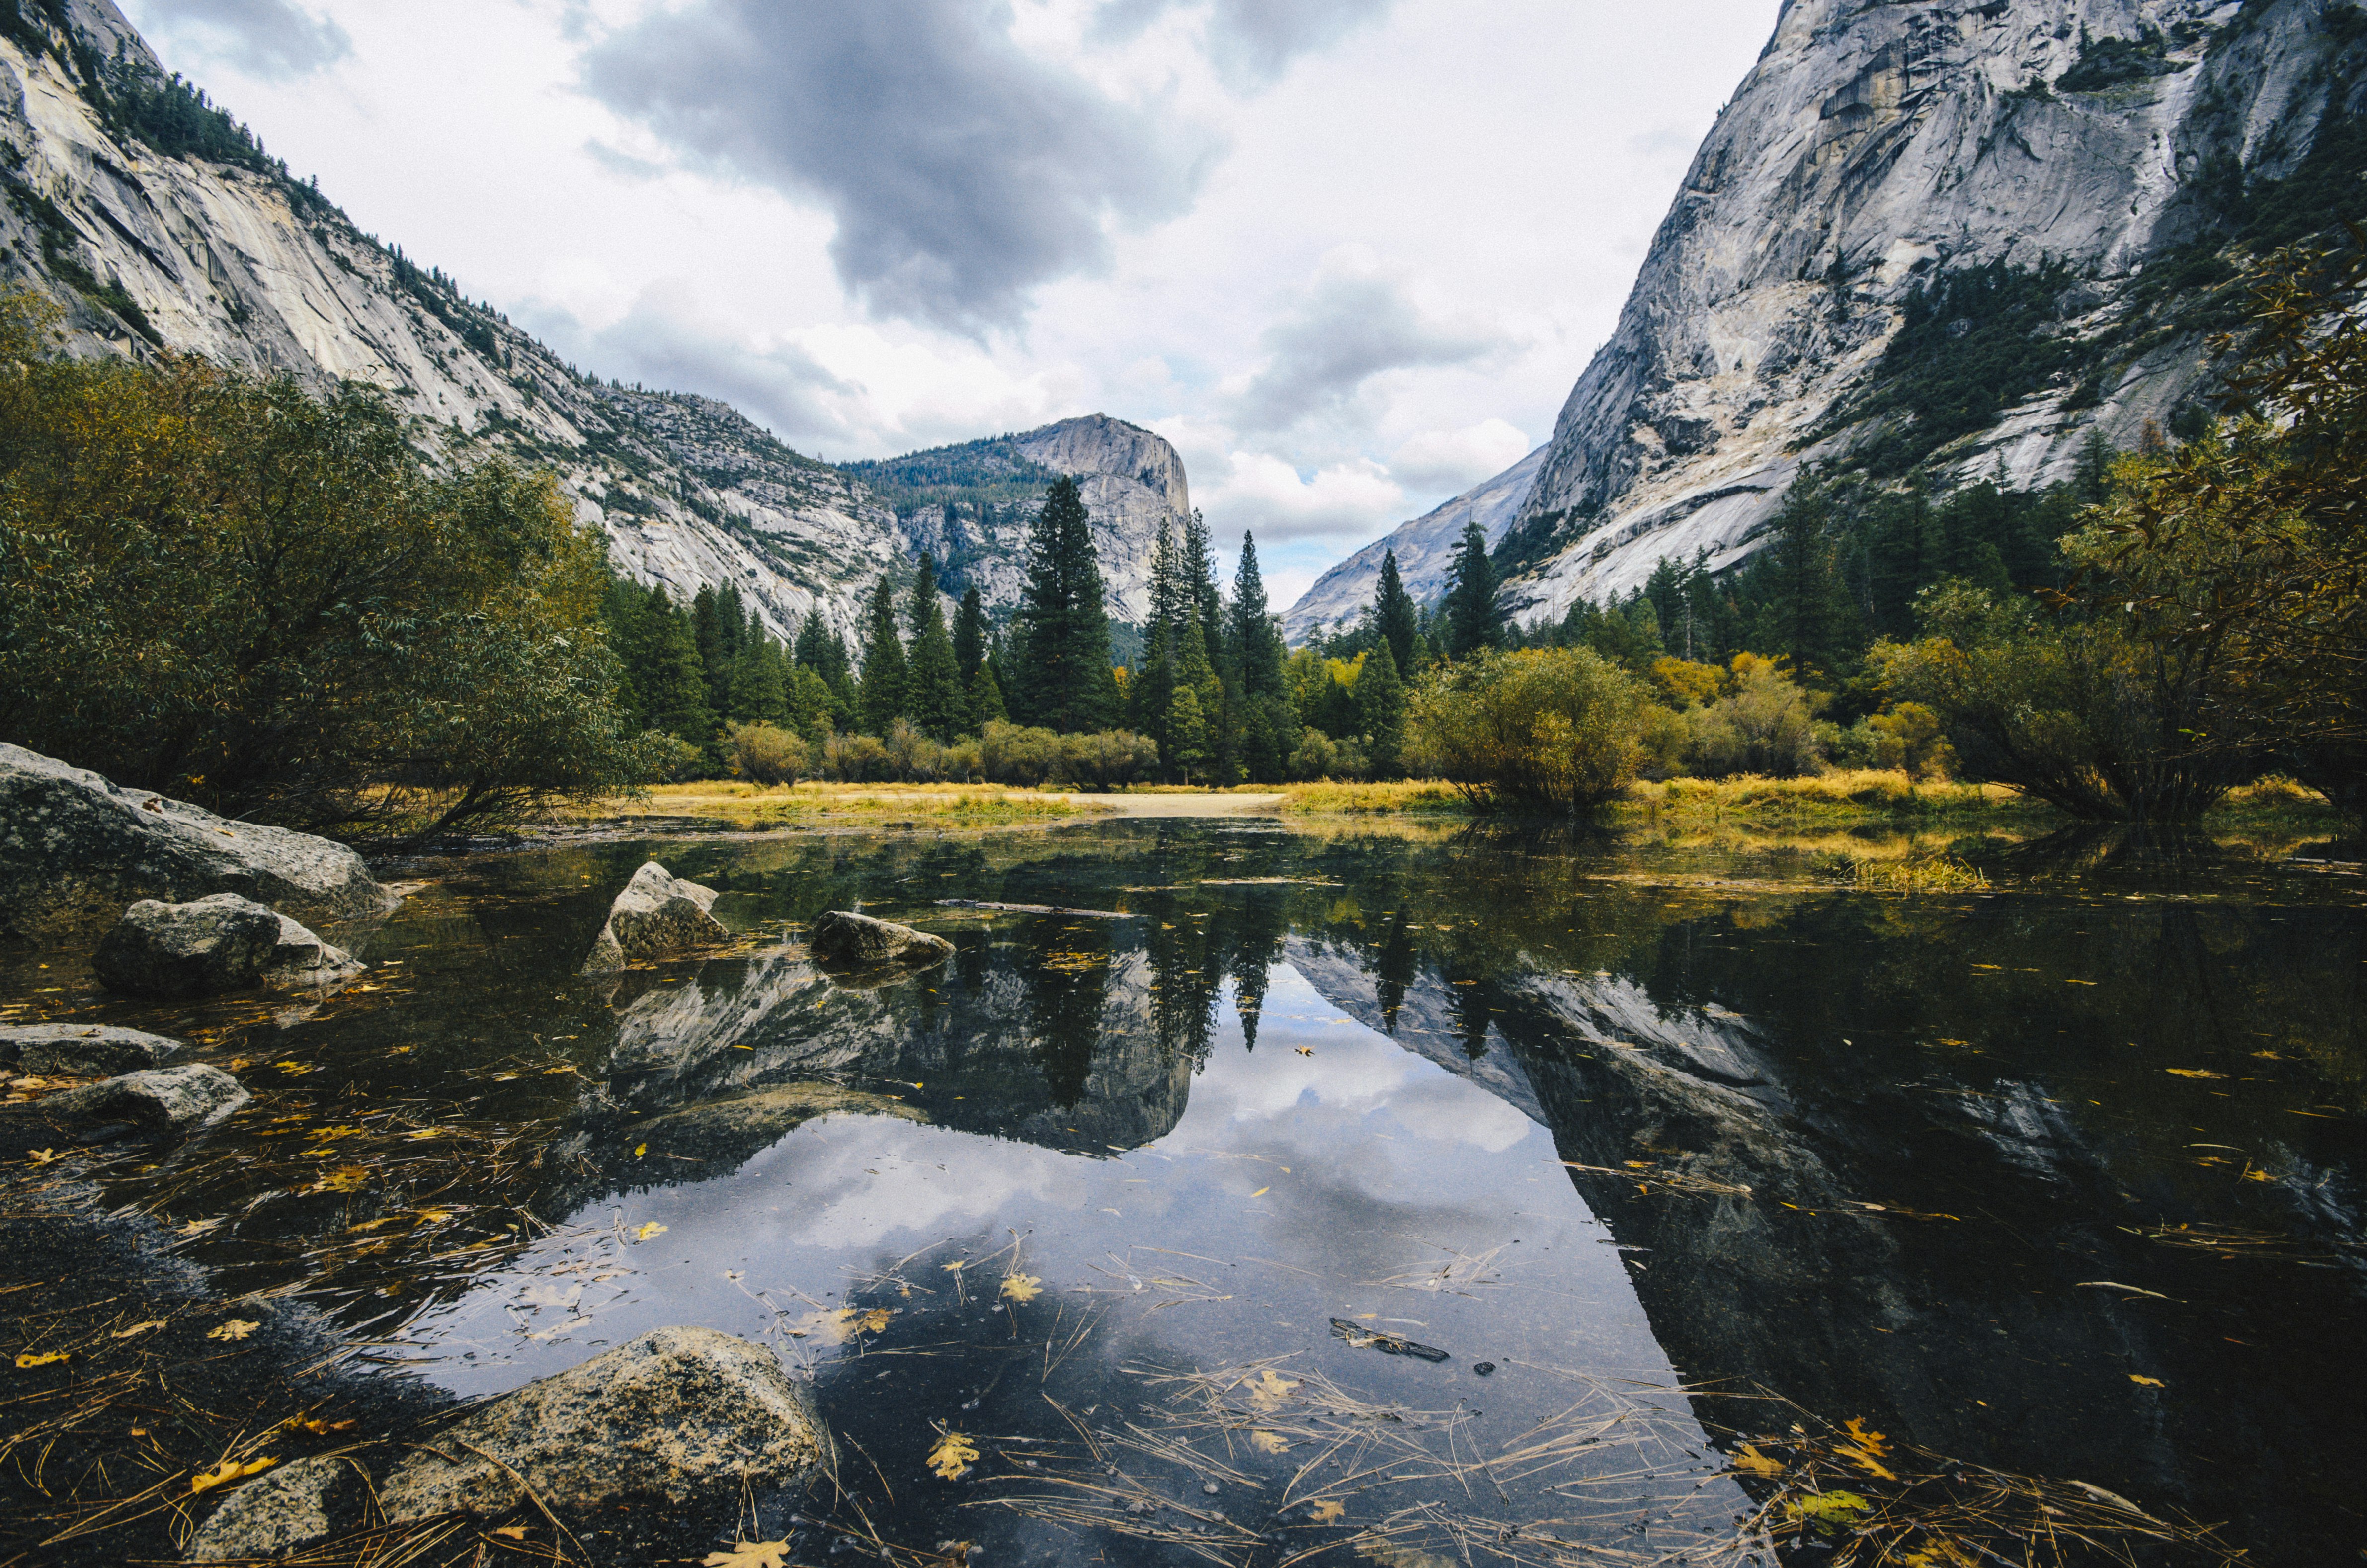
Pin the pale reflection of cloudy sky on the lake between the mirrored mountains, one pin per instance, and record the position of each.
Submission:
(1315, 1185)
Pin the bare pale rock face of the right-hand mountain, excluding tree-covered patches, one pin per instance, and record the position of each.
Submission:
(1871, 150)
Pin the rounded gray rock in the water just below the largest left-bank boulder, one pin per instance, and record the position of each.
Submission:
(212, 946)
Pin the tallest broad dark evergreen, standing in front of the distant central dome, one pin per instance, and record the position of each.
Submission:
(1062, 662)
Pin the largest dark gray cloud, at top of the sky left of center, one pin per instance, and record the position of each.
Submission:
(962, 169)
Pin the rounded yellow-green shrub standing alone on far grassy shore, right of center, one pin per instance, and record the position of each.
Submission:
(1544, 728)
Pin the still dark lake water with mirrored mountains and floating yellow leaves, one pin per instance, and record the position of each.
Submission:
(1963, 1167)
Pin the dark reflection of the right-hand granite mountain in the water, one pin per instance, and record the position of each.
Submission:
(1918, 1242)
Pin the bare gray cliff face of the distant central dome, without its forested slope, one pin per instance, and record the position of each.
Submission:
(1130, 480)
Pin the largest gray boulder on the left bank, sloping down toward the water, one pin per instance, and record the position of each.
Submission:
(75, 849)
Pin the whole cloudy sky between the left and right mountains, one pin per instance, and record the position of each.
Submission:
(1346, 255)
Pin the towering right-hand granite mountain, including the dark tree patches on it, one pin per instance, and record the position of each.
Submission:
(1944, 236)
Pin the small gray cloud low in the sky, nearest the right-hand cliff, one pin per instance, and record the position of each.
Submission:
(1343, 333)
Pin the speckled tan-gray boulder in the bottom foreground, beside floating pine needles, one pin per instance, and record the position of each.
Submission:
(678, 1415)
